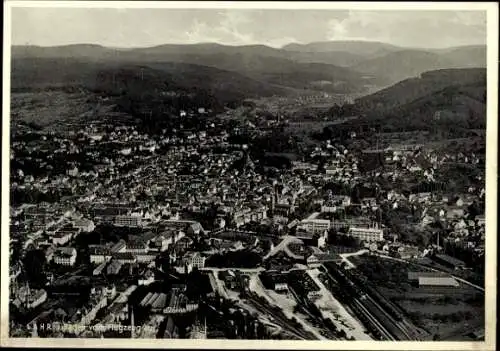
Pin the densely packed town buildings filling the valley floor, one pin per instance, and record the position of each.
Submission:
(151, 211)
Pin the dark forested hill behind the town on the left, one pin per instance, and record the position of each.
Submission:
(153, 92)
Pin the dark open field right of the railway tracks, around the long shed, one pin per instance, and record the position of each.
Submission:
(444, 312)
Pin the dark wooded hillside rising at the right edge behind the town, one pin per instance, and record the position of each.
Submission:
(458, 96)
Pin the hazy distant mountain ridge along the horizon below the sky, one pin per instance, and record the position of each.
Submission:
(353, 65)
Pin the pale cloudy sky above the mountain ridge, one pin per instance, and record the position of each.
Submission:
(120, 27)
